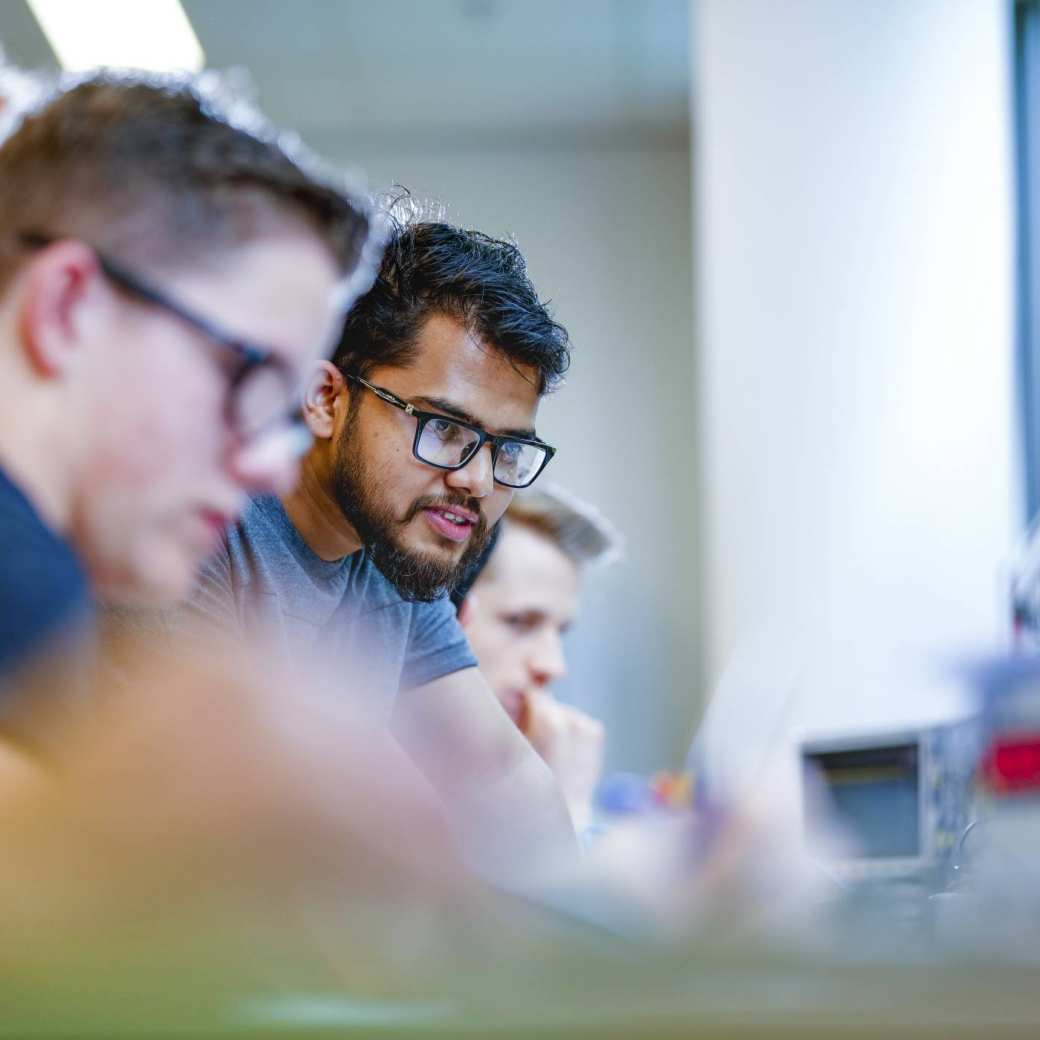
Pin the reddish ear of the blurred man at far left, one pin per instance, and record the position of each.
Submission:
(51, 317)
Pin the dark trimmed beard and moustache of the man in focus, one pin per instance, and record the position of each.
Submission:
(415, 577)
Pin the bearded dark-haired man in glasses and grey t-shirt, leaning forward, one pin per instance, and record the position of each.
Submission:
(424, 427)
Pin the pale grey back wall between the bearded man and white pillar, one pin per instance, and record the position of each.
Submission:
(606, 226)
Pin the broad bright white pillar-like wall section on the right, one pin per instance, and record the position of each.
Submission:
(854, 259)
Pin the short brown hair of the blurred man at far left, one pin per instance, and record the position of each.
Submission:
(147, 169)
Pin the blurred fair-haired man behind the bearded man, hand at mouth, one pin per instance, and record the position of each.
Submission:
(523, 603)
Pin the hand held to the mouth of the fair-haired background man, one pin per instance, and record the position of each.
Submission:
(571, 743)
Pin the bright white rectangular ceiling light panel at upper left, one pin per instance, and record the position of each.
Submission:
(152, 35)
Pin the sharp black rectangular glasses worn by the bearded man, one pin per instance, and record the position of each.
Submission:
(448, 444)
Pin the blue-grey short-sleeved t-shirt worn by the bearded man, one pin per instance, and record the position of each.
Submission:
(266, 580)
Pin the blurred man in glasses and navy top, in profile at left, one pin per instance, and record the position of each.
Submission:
(166, 281)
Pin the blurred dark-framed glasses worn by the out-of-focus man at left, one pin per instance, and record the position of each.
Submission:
(264, 388)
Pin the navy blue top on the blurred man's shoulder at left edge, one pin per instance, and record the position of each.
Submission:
(44, 594)
